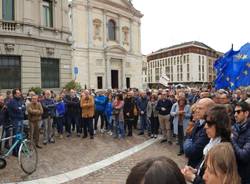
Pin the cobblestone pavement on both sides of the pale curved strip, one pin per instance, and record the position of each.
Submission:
(72, 153)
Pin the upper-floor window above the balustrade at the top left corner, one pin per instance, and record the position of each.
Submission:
(8, 10)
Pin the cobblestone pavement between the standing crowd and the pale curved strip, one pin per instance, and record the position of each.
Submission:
(68, 154)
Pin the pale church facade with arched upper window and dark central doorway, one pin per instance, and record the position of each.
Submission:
(106, 43)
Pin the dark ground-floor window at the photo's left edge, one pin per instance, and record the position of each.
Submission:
(10, 72)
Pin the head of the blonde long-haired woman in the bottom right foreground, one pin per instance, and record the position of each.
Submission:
(221, 167)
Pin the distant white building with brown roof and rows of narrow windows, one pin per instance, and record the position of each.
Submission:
(186, 63)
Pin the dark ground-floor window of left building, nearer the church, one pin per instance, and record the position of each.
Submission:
(50, 73)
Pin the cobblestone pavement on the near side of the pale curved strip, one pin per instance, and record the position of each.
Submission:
(118, 172)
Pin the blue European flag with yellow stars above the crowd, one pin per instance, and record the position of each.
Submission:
(233, 69)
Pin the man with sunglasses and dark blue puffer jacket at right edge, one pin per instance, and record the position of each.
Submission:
(241, 140)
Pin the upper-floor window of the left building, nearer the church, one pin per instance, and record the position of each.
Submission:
(47, 13)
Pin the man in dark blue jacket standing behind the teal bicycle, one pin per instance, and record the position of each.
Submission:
(16, 109)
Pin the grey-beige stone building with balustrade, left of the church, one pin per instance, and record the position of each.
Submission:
(35, 47)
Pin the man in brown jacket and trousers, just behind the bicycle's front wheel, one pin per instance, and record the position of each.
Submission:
(35, 112)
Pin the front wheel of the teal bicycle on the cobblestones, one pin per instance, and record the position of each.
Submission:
(28, 157)
